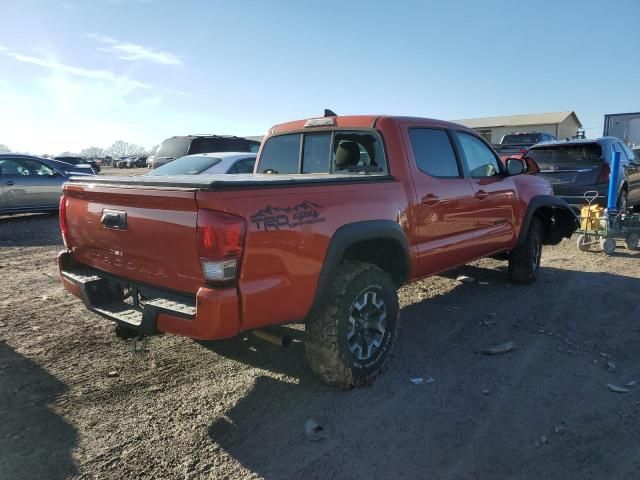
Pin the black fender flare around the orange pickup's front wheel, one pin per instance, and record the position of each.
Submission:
(564, 220)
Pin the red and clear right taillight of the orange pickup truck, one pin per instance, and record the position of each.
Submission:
(220, 244)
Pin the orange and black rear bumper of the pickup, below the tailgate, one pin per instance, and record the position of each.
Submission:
(209, 315)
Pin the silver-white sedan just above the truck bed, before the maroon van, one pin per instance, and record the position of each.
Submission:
(209, 164)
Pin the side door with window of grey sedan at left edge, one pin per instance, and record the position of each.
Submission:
(28, 183)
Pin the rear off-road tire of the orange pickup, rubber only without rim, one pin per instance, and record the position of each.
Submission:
(326, 331)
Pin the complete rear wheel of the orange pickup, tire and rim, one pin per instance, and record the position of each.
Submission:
(348, 339)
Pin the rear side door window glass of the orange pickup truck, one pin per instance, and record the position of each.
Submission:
(433, 152)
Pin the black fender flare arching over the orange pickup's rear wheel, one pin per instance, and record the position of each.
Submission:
(350, 234)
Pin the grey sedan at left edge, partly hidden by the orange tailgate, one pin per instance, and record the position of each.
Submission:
(33, 184)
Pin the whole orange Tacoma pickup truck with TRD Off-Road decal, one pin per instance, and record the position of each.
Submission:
(340, 212)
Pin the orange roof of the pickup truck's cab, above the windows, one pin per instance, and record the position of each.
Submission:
(365, 121)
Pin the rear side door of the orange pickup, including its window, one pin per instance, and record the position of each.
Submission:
(444, 216)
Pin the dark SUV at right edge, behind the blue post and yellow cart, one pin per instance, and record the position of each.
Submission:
(576, 166)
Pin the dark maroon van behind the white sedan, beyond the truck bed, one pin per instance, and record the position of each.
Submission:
(177, 147)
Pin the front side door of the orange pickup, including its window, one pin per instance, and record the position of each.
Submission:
(494, 193)
